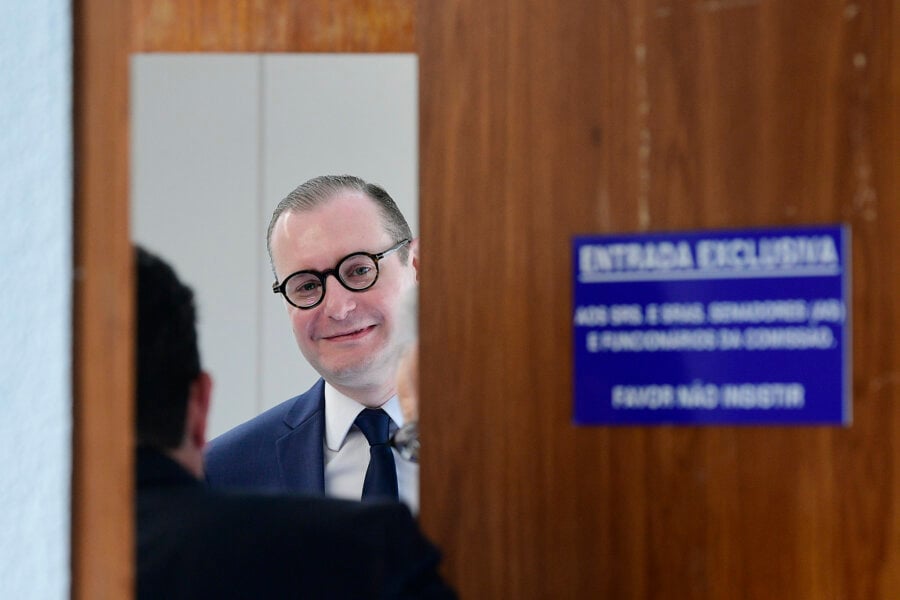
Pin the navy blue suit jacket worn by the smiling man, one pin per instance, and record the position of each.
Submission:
(278, 450)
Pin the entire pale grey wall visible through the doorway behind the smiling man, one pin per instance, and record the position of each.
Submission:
(217, 141)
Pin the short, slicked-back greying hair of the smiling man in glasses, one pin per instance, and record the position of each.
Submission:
(319, 190)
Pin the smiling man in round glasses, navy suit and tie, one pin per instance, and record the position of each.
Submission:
(344, 259)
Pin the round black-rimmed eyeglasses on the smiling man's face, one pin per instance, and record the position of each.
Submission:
(357, 272)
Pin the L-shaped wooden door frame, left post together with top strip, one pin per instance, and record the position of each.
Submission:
(106, 32)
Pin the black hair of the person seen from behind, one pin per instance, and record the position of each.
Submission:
(168, 359)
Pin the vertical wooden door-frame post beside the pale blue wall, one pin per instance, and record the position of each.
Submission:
(102, 522)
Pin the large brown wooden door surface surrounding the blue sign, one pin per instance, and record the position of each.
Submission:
(542, 120)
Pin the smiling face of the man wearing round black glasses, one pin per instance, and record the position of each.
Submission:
(352, 338)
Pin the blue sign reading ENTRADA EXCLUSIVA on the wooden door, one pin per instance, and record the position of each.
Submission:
(713, 327)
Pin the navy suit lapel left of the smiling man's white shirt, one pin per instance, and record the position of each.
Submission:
(300, 452)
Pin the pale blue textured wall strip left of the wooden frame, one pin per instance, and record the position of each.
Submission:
(35, 296)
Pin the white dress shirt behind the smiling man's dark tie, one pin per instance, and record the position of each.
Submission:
(347, 450)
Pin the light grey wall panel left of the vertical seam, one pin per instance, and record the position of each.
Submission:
(195, 166)
